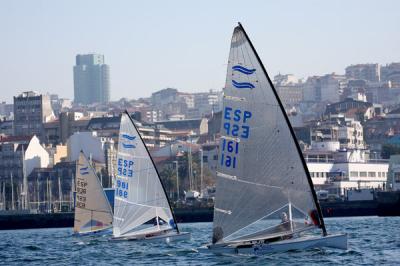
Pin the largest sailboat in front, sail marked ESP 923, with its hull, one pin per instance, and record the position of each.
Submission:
(265, 200)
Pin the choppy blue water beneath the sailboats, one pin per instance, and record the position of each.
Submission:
(372, 241)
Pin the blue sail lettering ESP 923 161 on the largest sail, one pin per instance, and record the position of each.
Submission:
(235, 125)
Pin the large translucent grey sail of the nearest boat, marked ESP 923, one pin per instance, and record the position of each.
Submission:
(260, 169)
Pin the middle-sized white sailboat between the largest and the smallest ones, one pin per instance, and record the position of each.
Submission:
(141, 208)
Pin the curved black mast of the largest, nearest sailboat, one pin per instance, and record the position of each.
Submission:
(314, 194)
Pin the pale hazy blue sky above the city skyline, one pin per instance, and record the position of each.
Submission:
(151, 45)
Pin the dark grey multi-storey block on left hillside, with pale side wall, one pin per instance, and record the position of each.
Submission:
(31, 111)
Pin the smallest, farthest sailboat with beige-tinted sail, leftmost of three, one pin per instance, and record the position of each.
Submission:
(93, 213)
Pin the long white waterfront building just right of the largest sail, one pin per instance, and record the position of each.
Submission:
(338, 170)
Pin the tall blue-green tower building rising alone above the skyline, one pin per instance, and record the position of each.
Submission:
(91, 79)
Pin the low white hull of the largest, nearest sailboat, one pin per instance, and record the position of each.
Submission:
(305, 242)
